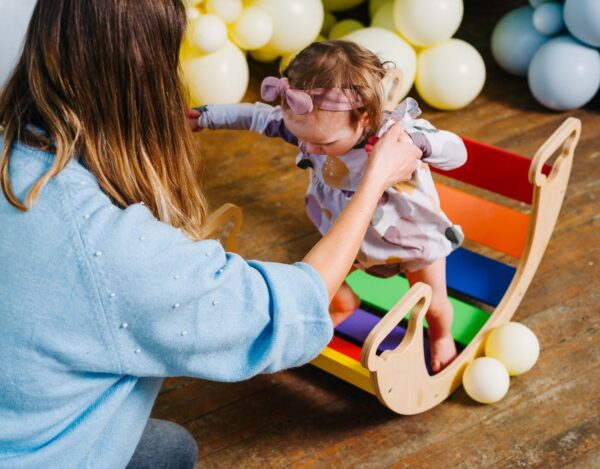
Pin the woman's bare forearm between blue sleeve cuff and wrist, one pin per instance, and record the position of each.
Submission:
(334, 254)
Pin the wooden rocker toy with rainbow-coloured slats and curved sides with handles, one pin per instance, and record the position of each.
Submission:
(375, 351)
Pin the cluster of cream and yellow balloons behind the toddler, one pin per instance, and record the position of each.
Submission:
(416, 35)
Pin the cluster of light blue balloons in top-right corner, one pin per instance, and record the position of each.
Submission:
(555, 44)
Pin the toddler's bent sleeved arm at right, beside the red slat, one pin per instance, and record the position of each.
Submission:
(441, 149)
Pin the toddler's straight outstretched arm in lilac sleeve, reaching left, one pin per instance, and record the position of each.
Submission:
(258, 117)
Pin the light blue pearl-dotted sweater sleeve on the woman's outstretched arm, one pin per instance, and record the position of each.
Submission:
(178, 307)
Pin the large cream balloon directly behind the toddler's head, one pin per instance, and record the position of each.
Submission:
(389, 47)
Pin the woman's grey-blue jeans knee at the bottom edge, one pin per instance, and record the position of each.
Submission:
(164, 445)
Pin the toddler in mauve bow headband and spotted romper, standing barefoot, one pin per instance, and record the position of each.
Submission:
(332, 109)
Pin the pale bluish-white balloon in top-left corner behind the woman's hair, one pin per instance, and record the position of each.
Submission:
(15, 17)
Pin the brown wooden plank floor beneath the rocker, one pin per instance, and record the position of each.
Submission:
(306, 418)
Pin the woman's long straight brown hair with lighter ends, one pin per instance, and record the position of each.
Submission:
(101, 79)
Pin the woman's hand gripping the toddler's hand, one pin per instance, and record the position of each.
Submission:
(392, 158)
